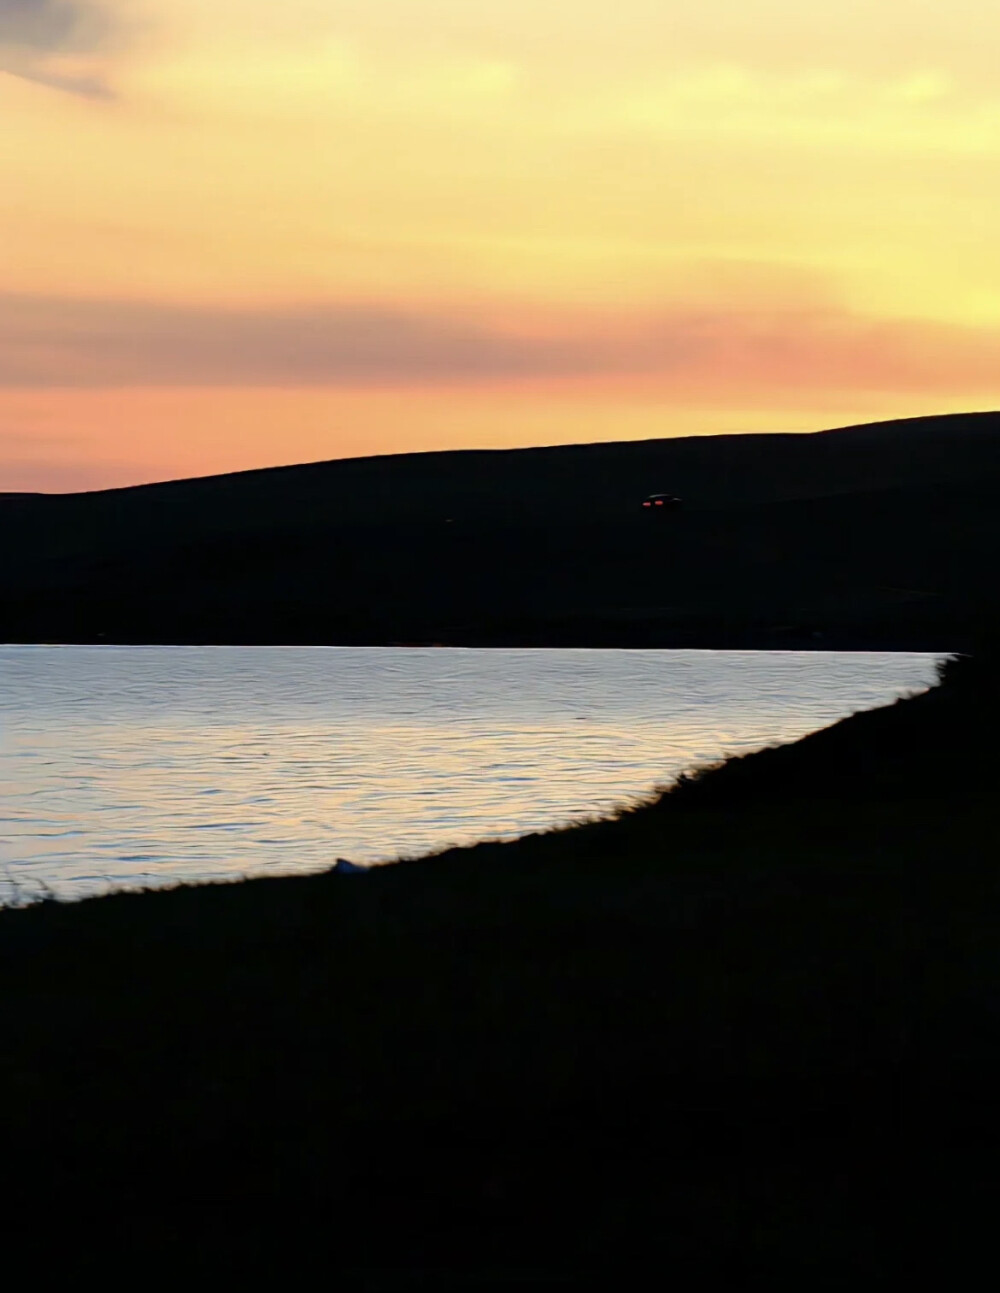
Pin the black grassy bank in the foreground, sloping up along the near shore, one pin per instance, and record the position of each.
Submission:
(748, 1032)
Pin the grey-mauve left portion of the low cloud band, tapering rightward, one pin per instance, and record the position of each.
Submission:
(50, 342)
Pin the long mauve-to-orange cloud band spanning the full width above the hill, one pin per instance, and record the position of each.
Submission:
(710, 352)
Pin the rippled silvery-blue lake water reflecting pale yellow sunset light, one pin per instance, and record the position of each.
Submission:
(149, 765)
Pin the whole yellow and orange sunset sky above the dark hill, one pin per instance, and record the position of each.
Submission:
(237, 233)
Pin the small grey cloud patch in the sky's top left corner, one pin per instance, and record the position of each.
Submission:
(55, 42)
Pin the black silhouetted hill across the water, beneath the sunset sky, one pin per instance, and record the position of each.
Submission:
(880, 535)
